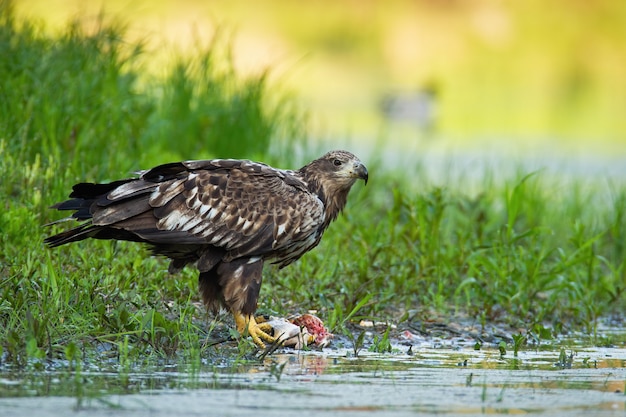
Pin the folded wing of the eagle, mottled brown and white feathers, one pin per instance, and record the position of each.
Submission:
(244, 207)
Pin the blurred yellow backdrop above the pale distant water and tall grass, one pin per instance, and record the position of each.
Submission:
(525, 77)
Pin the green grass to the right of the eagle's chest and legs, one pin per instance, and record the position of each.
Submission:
(524, 252)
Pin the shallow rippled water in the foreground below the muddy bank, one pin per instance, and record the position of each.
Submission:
(446, 381)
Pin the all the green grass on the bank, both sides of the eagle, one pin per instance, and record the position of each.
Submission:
(530, 251)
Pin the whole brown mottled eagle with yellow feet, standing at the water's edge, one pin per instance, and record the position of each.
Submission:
(225, 216)
